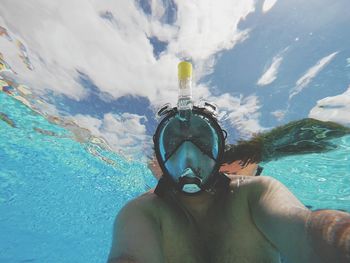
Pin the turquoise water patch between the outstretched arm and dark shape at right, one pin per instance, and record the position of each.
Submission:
(321, 180)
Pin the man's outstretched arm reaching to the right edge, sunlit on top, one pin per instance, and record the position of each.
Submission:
(300, 235)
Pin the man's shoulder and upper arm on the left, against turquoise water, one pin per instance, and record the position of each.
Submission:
(136, 237)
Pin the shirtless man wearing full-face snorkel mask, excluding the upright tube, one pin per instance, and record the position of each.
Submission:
(205, 212)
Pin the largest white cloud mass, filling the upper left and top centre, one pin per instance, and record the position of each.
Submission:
(69, 36)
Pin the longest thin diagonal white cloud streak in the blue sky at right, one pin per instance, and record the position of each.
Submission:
(311, 74)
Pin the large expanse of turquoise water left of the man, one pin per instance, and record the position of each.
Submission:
(56, 197)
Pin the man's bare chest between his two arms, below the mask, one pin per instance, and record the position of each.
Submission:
(222, 237)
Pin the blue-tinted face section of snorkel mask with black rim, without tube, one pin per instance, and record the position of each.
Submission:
(189, 151)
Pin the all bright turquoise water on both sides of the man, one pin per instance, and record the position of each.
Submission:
(59, 197)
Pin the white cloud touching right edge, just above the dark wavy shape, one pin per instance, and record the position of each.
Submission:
(334, 108)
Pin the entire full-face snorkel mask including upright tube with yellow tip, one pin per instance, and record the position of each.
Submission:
(189, 143)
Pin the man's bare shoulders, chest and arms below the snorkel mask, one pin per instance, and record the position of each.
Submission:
(259, 219)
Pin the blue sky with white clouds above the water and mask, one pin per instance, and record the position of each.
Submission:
(109, 65)
